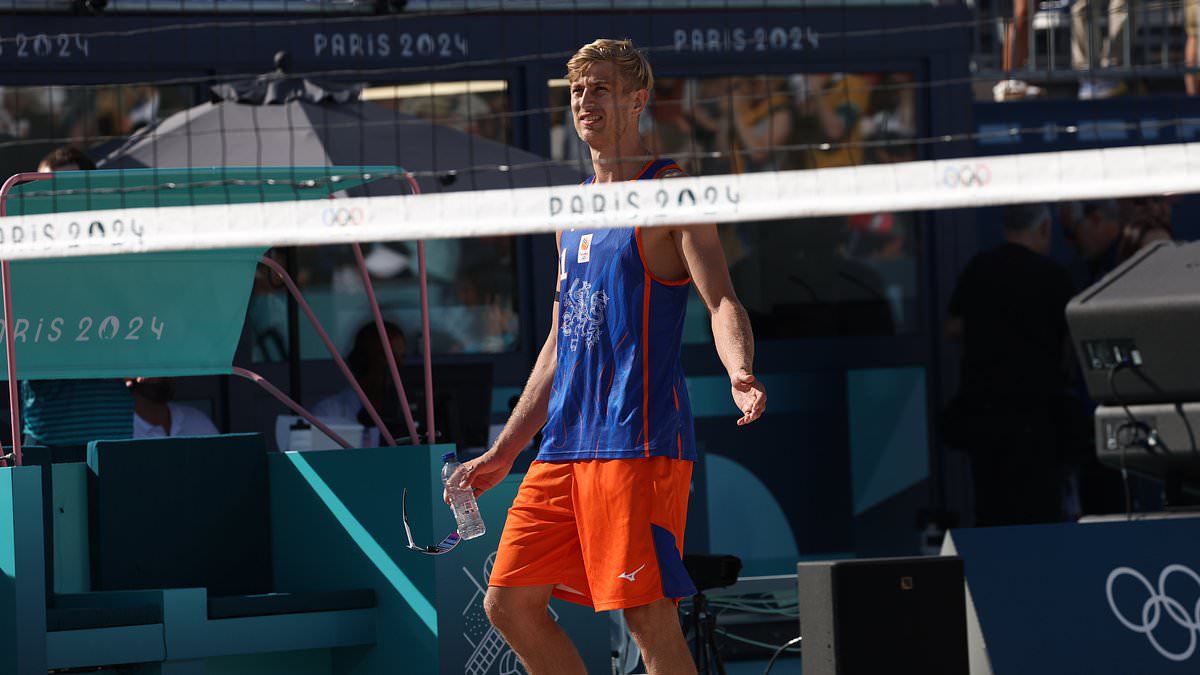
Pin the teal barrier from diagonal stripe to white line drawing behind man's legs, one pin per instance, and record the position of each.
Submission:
(335, 519)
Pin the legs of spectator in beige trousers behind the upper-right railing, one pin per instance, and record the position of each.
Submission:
(1084, 38)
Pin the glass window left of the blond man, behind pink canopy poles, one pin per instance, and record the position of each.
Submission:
(472, 283)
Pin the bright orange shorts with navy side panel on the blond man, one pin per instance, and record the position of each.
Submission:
(607, 534)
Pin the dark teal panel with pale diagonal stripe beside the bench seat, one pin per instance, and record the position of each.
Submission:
(335, 519)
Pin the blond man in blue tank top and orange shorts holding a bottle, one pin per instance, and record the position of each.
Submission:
(601, 516)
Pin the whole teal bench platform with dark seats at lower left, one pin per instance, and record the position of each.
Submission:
(143, 536)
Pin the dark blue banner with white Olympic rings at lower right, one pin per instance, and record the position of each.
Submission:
(1120, 599)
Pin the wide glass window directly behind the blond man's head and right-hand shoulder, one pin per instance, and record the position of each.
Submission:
(835, 277)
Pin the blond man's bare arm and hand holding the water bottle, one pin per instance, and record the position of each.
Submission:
(527, 419)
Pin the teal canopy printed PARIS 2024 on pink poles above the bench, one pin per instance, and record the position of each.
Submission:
(148, 314)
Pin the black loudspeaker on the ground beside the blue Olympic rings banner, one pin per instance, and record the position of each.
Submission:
(884, 616)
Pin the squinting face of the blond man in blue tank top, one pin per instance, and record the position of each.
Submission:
(602, 109)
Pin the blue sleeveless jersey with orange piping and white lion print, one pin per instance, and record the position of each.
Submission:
(619, 390)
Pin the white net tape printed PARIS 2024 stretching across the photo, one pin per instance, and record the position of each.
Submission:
(907, 187)
